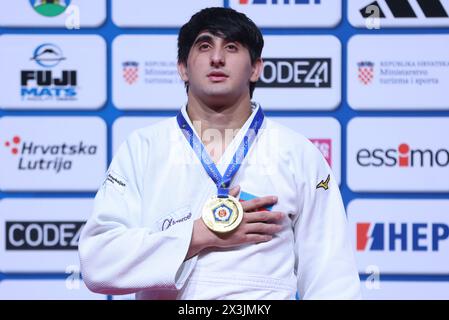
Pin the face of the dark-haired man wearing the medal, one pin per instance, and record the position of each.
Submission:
(218, 71)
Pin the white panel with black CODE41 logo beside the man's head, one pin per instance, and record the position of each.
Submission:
(300, 73)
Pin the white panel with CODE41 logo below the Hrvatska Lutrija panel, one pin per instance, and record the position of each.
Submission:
(41, 235)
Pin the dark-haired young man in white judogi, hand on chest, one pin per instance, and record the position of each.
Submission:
(219, 202)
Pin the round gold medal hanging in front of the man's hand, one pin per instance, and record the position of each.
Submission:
(222, 214)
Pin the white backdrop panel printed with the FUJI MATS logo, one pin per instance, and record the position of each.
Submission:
(52, 71)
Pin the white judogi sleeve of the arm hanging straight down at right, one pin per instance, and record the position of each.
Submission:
(325, 261)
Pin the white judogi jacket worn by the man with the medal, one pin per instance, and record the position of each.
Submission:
(141, 226)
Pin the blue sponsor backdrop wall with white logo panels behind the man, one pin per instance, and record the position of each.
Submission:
(367, 81)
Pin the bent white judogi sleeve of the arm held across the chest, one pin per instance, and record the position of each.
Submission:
(117, 254)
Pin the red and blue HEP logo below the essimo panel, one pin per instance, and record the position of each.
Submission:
(401, 236)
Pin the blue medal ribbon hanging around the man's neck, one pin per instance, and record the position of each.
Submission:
(222, 182)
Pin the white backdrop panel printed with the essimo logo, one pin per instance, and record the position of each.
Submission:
(398, 154)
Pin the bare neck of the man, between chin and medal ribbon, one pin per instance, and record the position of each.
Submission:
(218, 117)
